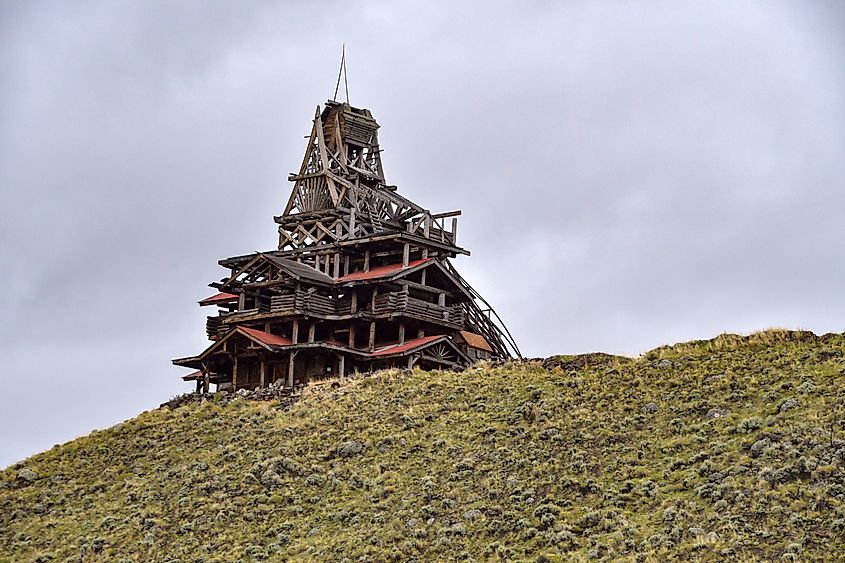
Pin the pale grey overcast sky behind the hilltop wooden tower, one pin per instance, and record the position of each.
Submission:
(631, 174)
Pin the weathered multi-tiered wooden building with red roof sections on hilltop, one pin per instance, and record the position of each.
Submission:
(361, 278)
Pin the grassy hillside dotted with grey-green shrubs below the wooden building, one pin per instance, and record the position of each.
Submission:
(729, 448)
